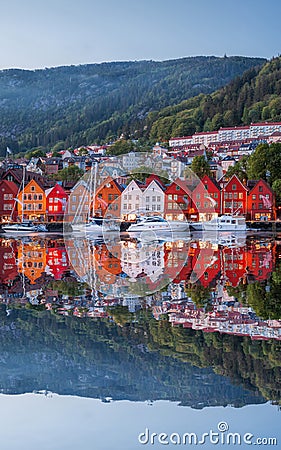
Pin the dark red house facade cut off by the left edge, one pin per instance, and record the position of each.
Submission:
(8, 207)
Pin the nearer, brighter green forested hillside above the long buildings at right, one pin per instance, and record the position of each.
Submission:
(251, 97)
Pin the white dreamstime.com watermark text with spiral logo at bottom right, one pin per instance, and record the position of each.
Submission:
(219, 436)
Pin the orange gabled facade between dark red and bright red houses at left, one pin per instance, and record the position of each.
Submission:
(32, 202)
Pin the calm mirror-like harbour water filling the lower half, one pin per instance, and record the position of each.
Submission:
(103, 342)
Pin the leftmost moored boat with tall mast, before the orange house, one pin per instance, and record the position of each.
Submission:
(24, 227)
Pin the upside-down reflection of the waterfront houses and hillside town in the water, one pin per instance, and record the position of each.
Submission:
(196, 283)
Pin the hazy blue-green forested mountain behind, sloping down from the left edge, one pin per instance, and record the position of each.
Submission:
(84, 104)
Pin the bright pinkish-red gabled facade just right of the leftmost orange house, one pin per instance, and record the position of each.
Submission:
(56, 200)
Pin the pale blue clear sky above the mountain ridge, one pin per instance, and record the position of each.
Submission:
(48, 33)
